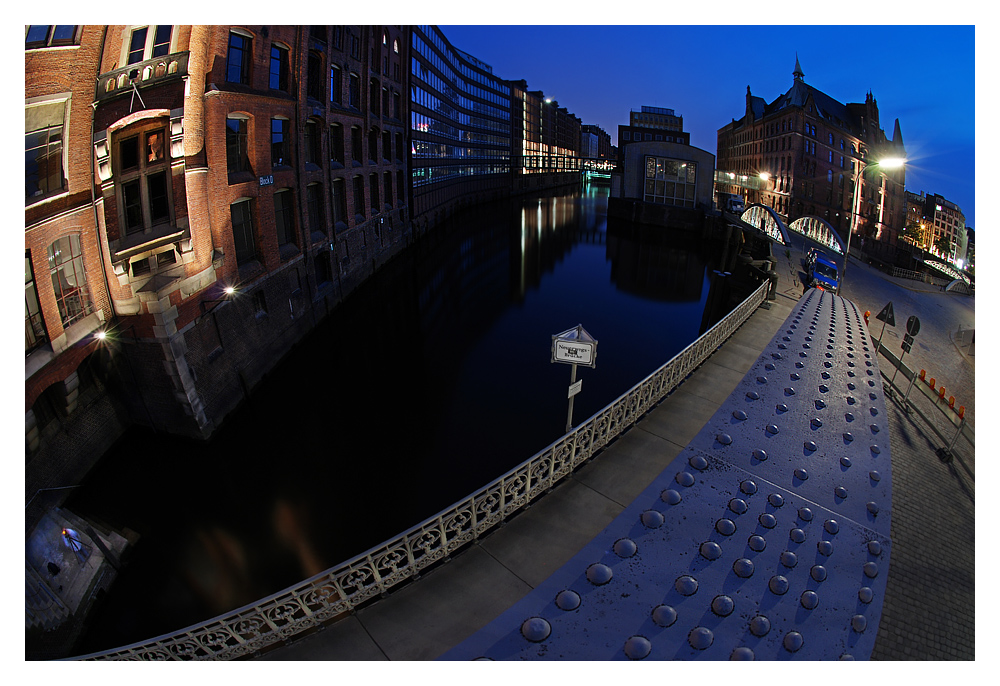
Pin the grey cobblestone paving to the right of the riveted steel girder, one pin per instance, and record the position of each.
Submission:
(929, 610)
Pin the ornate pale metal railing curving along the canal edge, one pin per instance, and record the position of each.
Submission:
(372, 574)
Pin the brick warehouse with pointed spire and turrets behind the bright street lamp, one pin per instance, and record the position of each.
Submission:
(811, 149)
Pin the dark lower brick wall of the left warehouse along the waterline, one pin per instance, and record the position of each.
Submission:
(186, 381)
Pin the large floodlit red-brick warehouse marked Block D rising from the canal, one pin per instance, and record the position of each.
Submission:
(166, 163)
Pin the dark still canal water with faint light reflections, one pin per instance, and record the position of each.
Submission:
(428, 382)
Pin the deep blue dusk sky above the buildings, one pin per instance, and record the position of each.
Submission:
(922, 75)
